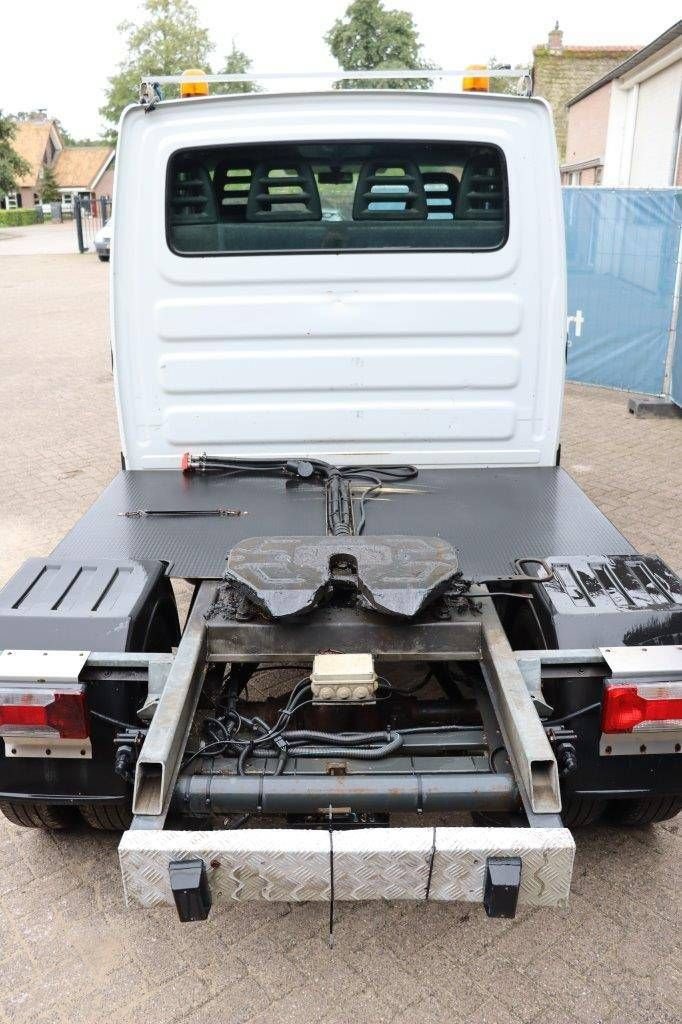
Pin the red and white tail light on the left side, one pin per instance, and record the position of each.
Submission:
(36, 710)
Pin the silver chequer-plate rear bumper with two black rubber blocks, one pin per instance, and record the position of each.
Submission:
(439, 864)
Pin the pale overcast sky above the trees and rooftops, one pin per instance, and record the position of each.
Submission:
(64, 61)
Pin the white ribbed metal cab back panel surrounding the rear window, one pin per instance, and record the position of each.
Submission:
(437, 358)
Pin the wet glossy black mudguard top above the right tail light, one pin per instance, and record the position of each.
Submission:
(627, 601)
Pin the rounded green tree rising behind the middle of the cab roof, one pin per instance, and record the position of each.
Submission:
(371, 38)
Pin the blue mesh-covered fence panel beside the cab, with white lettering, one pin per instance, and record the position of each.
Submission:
(622, 247)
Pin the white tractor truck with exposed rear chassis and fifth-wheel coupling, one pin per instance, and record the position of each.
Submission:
(339, 335)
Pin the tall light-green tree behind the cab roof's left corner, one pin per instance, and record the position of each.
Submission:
(169, 40)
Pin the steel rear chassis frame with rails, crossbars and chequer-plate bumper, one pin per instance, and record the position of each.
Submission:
(428, 863)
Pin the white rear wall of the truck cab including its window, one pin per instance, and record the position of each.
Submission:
(353, 276)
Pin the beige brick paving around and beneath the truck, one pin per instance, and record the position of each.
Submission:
(70, 953)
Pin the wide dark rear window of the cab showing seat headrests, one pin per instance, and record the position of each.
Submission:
(336, 197)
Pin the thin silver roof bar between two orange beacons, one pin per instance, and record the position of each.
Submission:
(336, 76)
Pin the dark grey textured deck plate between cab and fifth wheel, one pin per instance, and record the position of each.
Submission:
(490, 517)
